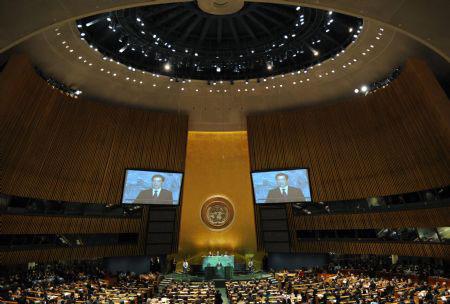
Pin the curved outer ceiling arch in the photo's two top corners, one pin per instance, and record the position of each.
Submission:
(400, 17)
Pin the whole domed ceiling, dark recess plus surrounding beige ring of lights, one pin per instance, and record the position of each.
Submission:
(84, 54)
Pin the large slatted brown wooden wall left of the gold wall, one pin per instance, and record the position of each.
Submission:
(60, 148)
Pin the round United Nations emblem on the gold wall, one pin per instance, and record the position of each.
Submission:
(217, 213)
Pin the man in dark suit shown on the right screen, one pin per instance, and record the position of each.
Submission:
(284, 193)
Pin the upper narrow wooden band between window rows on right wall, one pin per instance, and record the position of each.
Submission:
(422, 218)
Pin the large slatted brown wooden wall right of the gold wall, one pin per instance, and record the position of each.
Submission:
(393, 141)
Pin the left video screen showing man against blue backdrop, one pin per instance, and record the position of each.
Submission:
(139, 188)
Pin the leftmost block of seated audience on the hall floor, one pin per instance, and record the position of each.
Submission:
(76, 284)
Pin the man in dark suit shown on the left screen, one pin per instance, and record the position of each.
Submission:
(155, 195)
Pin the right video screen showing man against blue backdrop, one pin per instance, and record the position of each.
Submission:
(268, 190)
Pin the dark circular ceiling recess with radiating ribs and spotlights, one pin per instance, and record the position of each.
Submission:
(182, 41)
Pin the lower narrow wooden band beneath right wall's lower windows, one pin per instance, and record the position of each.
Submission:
(377, 248)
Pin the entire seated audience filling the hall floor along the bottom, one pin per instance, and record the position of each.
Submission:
(335, 283)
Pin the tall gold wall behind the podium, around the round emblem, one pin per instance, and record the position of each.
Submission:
(217, 163)
